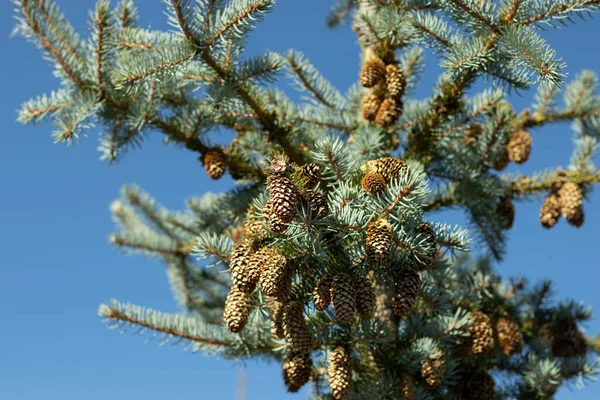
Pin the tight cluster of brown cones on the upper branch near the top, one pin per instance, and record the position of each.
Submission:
(387, 83)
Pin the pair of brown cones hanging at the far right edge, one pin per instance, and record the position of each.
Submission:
(566, 199)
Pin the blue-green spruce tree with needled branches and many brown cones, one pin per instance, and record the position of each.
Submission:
(326, 256)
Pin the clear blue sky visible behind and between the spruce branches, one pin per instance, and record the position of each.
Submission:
(54, 223)
